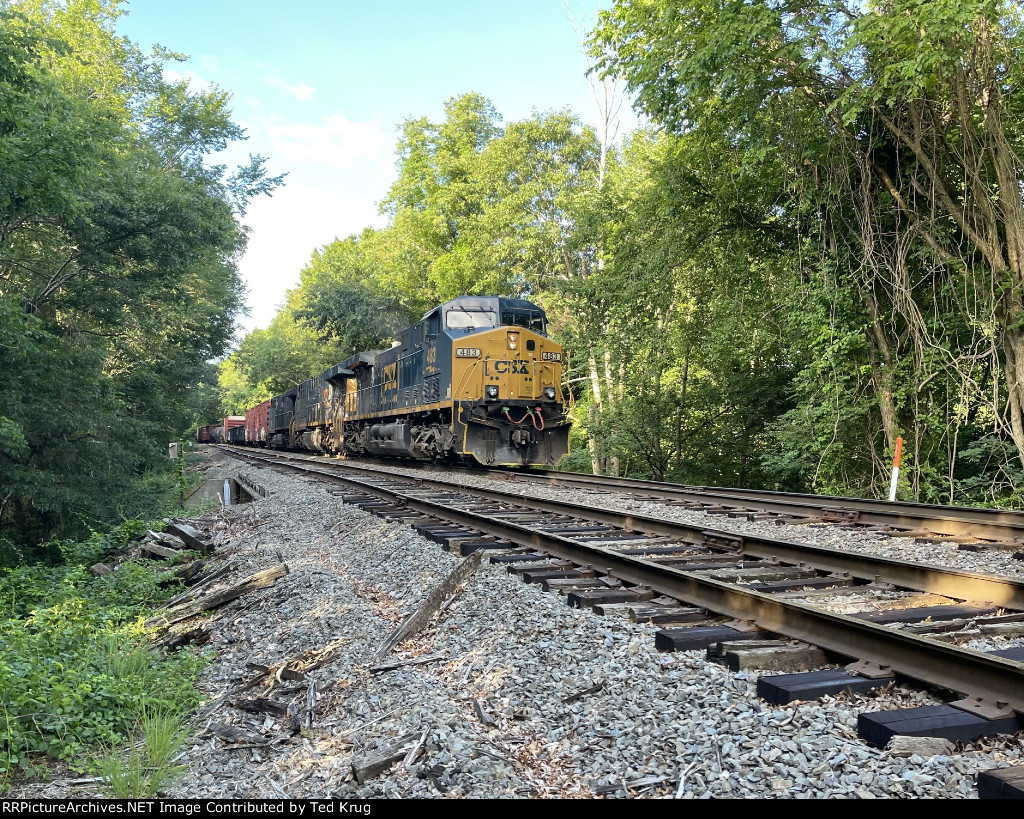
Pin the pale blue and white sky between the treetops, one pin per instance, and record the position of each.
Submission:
(322, 87)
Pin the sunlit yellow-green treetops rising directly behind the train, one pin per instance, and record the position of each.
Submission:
(477, 209)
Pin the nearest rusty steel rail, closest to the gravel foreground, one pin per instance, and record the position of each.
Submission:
(970, 673)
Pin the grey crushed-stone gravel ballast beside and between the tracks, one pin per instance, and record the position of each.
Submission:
(652, 725)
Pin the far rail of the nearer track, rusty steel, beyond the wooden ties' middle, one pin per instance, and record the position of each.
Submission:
(936, 580)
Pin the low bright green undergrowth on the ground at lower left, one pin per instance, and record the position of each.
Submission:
(76, 670)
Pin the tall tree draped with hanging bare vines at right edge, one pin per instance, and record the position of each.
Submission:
(895, 138)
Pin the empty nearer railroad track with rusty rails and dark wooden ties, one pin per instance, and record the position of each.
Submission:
(744, 598)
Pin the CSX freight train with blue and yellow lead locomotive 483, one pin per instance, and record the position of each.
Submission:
(476, 380)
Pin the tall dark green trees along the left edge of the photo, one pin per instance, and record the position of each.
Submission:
(118, 248)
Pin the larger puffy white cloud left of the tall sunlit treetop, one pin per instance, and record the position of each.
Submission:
(335, 142)
